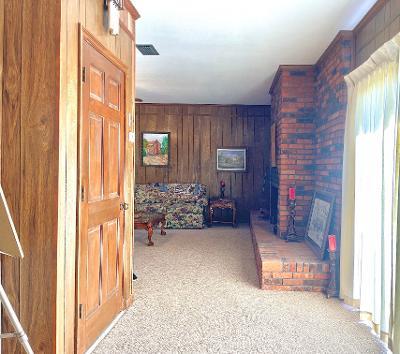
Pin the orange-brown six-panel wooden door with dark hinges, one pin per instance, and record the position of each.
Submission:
(101, 216)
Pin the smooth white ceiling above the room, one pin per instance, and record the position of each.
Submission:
(227, 51)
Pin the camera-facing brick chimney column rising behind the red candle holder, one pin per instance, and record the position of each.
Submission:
(293, 112)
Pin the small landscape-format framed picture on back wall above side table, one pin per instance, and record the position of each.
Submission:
(232, 159)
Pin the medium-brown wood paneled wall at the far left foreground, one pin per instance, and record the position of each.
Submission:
(29, 155)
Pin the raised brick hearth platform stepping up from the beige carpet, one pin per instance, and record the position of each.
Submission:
(285, 266)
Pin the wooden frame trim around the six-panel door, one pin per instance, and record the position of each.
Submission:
(86, 36)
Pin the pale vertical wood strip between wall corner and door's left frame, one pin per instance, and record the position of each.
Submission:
(69, 67)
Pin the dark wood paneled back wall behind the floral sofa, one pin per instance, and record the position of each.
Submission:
(196, 132)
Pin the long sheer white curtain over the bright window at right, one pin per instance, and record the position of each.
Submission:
(370, 190)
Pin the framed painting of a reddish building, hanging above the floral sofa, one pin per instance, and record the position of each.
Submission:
(155, 149)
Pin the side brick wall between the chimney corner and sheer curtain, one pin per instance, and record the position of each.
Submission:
(331, 105)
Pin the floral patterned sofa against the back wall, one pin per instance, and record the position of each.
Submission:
(183, 204)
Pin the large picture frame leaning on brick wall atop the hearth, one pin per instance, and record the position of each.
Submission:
(319, 222)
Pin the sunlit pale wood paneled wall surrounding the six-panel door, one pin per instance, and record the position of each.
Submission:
(88, 13)
